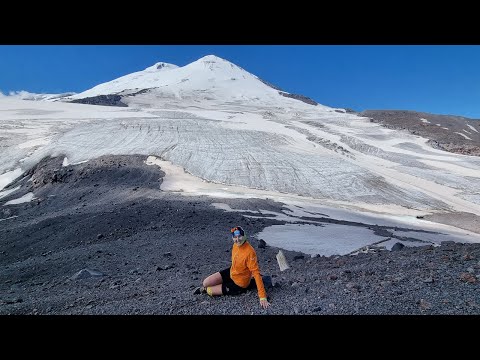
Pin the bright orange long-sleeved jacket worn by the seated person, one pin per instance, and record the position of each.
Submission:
(244, 264)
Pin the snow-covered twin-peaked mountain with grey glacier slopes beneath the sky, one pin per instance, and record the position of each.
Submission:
(239, 136)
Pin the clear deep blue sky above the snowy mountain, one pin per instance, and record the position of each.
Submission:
(439, 79)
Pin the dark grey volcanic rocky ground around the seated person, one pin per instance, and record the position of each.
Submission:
(101, 238)
